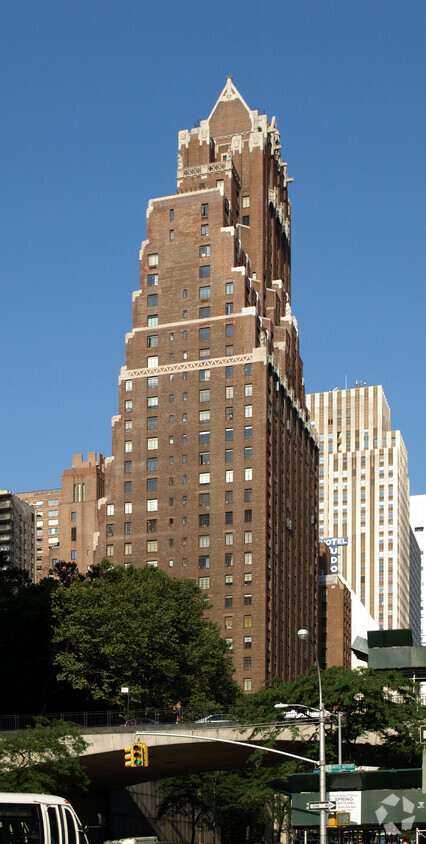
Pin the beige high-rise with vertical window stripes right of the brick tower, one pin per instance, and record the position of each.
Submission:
(364, 497)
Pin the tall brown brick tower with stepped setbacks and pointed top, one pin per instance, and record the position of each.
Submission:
(213, 474)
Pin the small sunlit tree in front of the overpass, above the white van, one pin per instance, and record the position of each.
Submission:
(44, 758)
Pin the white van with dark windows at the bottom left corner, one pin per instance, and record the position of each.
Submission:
(38, 819)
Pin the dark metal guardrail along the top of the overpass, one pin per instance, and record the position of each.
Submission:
(110, 718)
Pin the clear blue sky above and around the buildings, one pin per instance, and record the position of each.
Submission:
(92, 97)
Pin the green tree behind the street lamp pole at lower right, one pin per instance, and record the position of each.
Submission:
(383, 703)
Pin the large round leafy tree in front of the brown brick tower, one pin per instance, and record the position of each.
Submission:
(142, 629)
